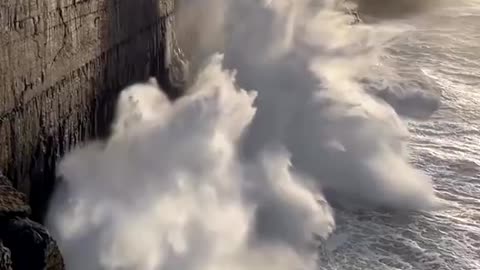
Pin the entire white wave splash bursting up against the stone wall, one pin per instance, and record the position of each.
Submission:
(232, 178)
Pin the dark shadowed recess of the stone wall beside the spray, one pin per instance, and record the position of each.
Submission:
(141, 32)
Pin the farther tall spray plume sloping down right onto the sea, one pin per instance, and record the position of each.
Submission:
(309, 65)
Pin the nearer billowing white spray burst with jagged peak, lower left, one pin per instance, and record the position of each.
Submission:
(168, 190)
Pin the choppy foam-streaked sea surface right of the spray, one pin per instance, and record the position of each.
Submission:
(442, 46)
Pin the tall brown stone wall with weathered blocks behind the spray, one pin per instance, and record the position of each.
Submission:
(62, 63)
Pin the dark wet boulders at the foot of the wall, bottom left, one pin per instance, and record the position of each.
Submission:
(24, 244)
